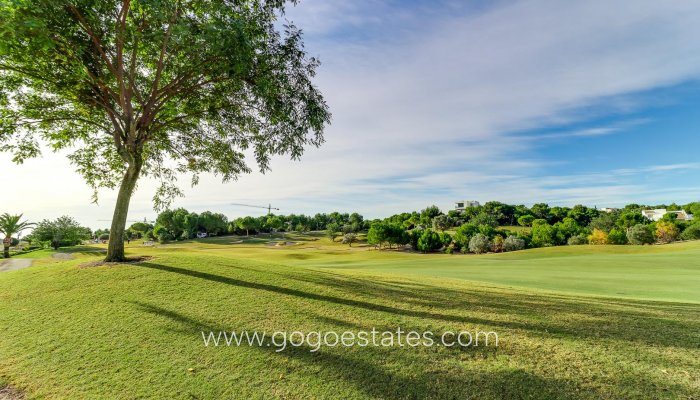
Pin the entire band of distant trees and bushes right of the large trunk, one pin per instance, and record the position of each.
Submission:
(488, 227)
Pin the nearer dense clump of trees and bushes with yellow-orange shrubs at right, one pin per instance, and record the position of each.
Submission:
(492, 227)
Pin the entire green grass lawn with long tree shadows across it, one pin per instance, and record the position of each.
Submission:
(574, 322)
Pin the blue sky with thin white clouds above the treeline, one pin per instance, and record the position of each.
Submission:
(590, 102)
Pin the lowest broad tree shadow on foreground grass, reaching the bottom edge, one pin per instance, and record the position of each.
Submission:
(419, 373)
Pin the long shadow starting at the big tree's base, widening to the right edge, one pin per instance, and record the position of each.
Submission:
(537, 314)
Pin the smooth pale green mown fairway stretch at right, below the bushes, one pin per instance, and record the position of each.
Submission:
(656, 273)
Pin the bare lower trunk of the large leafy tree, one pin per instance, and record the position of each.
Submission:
(115, 249)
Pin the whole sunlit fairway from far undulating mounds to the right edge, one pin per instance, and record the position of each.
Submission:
(669, 272)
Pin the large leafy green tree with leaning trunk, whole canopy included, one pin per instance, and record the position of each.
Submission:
(155, 88)
